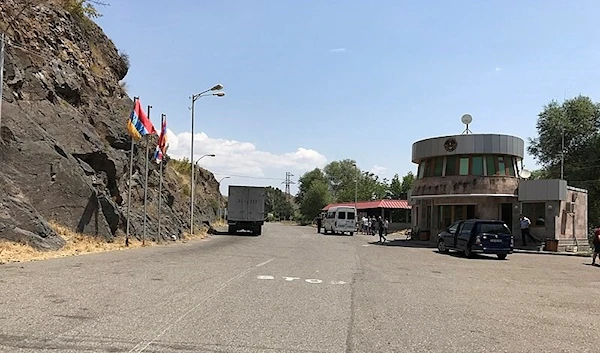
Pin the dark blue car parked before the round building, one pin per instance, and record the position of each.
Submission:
(477, 236)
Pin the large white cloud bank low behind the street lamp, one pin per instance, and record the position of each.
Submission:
(242, 158)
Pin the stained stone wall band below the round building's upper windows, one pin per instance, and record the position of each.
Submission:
(466, 184)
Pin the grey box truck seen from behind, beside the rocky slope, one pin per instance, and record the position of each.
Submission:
(246, 208)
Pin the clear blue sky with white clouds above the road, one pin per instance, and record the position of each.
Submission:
(310, 82)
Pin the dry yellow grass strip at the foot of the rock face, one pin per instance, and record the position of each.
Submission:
(76, 244)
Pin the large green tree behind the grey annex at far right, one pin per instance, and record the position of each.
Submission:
(577, 120)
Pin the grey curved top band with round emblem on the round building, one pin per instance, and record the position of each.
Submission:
(469, 144)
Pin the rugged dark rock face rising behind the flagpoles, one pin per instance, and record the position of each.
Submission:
(65, 150)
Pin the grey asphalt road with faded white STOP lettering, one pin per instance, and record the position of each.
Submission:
(292, 290)
